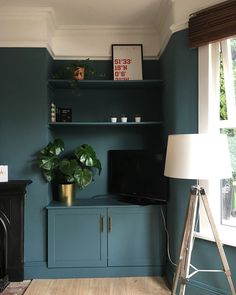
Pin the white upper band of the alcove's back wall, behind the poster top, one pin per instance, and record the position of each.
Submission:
(95, 41)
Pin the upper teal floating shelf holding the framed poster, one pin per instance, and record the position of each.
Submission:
(66, 84)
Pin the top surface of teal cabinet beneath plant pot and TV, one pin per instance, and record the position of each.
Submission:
(92, 202)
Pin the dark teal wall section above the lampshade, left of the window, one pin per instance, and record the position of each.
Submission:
(179, 72)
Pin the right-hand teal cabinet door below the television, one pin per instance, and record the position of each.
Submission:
(135, 236)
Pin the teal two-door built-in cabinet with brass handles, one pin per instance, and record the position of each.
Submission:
(105, 236)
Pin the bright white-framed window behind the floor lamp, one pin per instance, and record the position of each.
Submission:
(217, 113)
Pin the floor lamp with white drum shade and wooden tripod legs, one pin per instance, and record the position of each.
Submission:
(197, 156)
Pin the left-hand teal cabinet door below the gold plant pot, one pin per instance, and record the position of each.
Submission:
(77, 237)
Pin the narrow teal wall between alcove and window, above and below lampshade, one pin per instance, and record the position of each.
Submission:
(179, 71)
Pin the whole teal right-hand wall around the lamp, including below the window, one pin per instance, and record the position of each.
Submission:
(179, 70)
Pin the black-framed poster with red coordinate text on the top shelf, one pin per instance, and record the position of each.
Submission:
(127, 61)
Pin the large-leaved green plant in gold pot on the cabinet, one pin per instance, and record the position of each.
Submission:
(79, 168)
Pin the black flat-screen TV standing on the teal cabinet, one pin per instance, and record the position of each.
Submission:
(137, 176)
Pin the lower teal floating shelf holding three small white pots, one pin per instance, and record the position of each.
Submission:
(104, 123)
